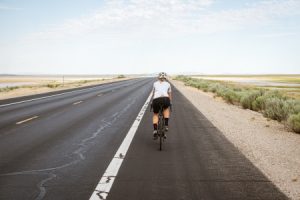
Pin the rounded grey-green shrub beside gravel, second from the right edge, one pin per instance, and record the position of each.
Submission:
(275, 109)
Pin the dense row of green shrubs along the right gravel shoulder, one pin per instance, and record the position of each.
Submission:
(274, 104)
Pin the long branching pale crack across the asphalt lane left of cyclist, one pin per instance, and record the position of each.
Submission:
(50, 172)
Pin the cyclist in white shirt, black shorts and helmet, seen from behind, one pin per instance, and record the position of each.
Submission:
(161, 94)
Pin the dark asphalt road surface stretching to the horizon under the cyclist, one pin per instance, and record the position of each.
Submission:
(59, 147)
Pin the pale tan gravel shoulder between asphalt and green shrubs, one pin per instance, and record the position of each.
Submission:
(266, 143)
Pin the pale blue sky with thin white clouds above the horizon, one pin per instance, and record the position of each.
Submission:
(142, 36)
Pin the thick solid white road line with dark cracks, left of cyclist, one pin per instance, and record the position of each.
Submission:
(107, 179)
